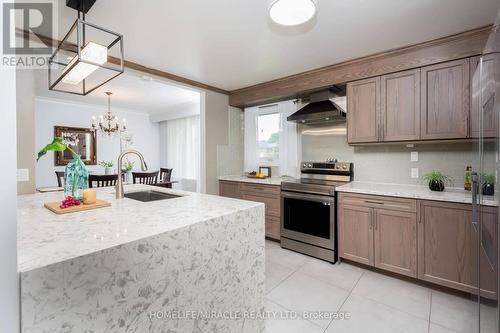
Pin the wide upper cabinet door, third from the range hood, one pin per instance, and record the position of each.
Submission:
(445, 100)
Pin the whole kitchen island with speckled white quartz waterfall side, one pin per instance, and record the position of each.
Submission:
(181, 265)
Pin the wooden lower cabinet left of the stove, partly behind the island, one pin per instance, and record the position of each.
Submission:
(269, 195)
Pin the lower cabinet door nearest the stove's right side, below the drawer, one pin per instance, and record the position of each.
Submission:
(356, 234)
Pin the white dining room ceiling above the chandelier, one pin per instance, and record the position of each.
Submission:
(130, 91)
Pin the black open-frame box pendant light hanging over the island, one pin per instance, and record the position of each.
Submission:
(87, 57)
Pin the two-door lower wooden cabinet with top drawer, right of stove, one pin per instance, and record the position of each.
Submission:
(379, 231)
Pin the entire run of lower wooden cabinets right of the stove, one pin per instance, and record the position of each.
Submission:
(433, 241)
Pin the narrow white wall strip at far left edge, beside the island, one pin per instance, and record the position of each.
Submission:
(9, 287)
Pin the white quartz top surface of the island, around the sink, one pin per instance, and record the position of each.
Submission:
(46, 238)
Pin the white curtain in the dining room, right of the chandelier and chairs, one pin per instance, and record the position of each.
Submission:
(180, 150)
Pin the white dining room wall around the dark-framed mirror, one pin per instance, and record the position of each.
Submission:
(50, 113)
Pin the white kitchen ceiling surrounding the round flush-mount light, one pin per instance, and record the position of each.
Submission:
(231, 44)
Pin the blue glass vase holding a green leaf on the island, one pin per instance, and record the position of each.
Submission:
(76, 178)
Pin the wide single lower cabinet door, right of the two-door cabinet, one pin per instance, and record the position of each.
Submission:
(446, 245)
